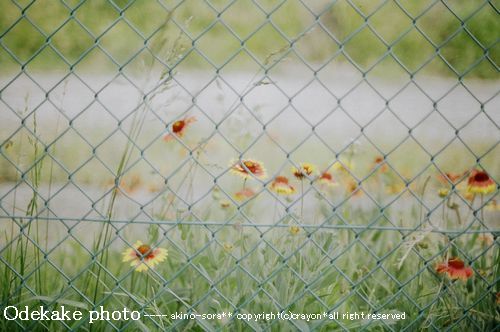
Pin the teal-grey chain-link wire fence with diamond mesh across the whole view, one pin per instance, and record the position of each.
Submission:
(136, 154)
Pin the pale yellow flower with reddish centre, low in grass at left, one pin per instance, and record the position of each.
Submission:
(143, 257)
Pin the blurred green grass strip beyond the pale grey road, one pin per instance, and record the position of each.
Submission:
(51, 36)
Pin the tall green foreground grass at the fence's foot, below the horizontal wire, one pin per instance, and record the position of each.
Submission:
(269, 270)
